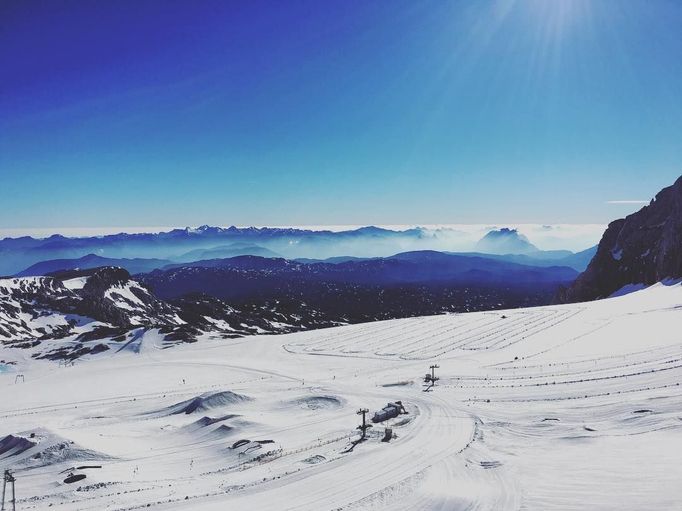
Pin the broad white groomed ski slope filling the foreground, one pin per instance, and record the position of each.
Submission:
(564, 407)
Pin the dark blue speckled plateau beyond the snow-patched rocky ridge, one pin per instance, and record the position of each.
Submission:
(404, 285)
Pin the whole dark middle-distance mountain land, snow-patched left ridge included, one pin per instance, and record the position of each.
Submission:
(90, 310)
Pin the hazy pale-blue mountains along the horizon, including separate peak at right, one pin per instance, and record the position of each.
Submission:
(140, 252)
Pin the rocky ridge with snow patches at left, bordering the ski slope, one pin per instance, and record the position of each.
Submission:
(77, 312)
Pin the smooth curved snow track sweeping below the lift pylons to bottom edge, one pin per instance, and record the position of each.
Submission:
(366, 471)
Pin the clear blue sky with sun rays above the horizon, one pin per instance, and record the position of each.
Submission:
(393, 112)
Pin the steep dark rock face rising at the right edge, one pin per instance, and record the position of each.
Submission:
(643, 248)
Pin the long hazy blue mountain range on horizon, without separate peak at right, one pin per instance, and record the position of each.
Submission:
(16, 254)
